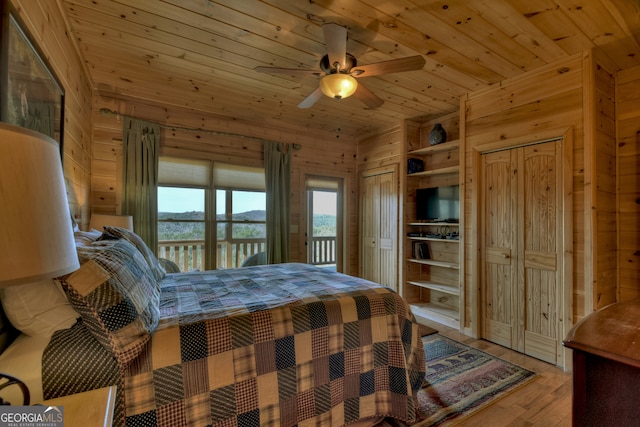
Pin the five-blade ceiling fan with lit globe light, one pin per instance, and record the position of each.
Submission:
(339, 70)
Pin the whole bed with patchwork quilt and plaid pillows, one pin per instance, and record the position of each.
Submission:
(275, 345)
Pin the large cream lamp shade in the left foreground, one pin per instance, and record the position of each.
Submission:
(36, 235)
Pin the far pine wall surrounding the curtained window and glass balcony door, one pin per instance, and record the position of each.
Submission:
(189, 133)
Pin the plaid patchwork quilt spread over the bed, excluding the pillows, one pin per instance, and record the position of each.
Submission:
(277, 345)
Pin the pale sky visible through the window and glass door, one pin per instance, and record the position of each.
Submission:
(187, 200)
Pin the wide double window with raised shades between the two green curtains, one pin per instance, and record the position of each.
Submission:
(210, 215)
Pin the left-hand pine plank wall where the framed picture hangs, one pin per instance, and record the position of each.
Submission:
(45, 22)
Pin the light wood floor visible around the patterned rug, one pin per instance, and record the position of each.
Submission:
(544, 402)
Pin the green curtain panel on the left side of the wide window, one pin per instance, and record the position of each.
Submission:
(141, 146)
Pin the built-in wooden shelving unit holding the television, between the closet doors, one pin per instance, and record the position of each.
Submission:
(432, 268)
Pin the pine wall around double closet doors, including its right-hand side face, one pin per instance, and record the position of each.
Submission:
(540, 104)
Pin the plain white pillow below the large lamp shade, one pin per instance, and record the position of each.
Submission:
(39, 308)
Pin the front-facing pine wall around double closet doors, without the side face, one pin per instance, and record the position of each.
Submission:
(540, 104)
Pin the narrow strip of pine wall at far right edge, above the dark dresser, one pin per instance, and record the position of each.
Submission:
(628, 127)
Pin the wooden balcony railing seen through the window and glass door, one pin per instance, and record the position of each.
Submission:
(189, 255)
